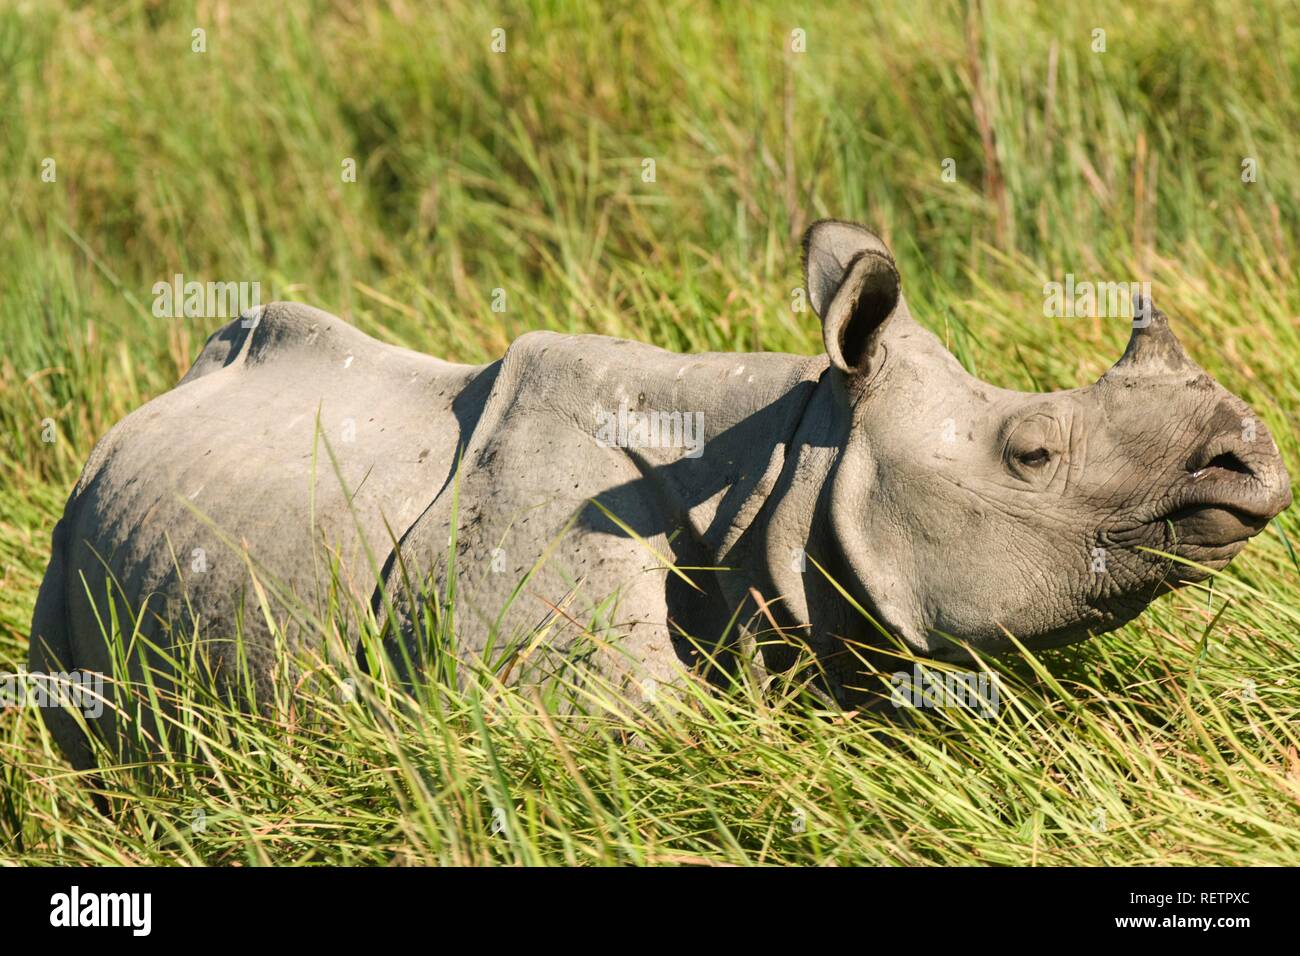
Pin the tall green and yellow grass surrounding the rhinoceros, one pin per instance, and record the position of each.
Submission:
(1173, 157)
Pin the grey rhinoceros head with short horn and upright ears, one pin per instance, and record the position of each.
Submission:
(967, 512)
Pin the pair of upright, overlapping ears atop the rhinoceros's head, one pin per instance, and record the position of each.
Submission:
(855, 289)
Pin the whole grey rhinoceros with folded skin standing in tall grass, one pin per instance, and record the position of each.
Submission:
(951, 511)
